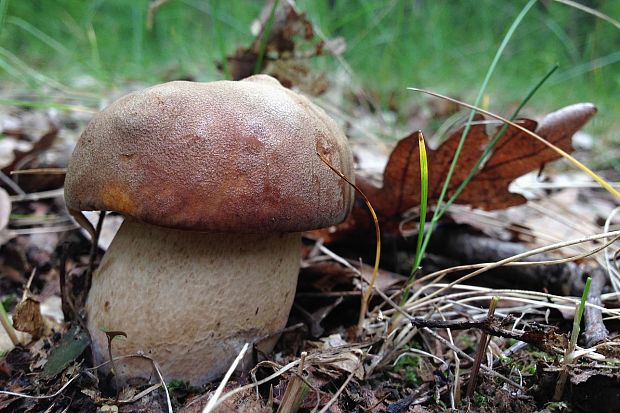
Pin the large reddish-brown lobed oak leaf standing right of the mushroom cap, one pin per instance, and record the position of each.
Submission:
(515, 154)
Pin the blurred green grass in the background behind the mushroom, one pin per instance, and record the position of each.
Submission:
(87, 48)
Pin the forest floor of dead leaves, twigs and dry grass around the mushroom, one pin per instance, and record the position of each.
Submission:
(486, 324)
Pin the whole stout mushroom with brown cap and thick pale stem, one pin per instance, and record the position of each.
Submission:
(216, 181)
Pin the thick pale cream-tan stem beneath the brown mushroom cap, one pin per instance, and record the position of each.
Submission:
(190, 300)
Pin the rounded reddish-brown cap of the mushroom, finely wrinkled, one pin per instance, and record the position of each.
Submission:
(220, 156)
